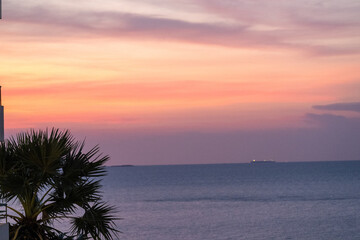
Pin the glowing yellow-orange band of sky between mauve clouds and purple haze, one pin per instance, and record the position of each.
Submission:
(106, 81)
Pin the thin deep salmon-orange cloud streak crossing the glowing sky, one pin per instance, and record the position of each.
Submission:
(163, 93)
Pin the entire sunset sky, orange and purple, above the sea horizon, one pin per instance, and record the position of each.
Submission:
(187, 81)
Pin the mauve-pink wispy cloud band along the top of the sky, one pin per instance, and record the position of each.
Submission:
(247, 25)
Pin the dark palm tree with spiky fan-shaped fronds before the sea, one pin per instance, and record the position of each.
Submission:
(53, 179)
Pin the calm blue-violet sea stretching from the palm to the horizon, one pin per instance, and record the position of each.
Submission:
(310, 201)
